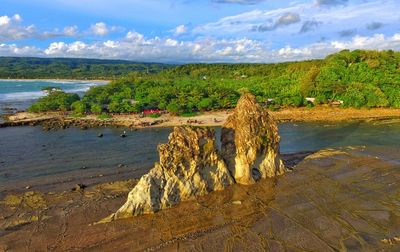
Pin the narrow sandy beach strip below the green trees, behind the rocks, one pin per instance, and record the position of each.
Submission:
(211, 119)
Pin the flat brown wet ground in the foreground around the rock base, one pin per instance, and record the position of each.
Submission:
(337, 199)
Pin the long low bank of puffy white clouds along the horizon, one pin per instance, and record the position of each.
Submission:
(134, 46)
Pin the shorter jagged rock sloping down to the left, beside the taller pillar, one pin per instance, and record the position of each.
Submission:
(189, 166)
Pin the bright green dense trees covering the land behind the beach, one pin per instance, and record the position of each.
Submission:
(358, 78)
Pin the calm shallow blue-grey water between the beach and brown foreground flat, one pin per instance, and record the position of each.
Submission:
(30, 156)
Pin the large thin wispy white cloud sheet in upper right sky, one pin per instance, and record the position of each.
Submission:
(303, 22)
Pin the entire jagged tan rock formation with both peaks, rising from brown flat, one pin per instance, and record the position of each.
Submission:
(190, 164)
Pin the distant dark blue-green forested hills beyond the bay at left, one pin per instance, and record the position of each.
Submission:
(70, 68)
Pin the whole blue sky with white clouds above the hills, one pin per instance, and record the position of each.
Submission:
(183, 31)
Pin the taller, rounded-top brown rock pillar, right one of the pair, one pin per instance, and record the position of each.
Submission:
(250, 142)
